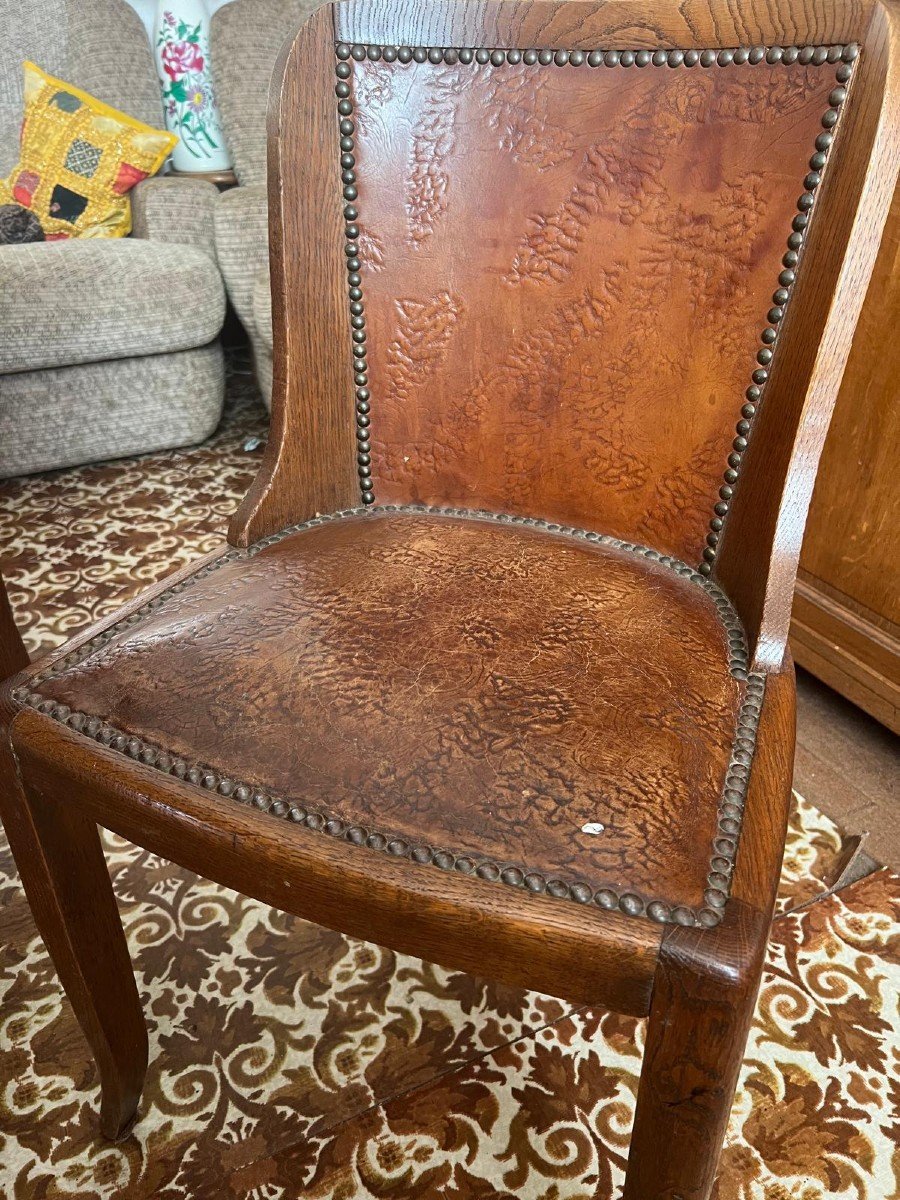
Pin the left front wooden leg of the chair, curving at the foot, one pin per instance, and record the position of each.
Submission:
(63, 869)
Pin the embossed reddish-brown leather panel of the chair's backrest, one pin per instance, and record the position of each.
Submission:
(566, 275)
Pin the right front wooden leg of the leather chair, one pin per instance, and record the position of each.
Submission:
(704, 999)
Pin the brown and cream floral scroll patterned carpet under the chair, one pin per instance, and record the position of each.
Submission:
(290, 1061)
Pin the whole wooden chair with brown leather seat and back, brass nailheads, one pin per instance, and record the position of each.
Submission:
(495, 670)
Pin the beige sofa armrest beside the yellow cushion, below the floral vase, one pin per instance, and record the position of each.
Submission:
(176, 211)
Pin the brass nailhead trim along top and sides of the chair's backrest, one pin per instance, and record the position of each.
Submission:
(818, 56)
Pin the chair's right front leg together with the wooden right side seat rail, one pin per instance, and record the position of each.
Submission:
(705, 989)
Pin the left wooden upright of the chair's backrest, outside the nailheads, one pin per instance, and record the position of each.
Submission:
(309, 464)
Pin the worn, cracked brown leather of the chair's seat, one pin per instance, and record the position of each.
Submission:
(478, 687)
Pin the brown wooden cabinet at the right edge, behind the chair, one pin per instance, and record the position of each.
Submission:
(847, 614)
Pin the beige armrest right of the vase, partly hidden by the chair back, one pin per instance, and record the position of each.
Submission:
(243, 244)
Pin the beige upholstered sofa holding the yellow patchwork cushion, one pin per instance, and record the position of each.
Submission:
(107, 347)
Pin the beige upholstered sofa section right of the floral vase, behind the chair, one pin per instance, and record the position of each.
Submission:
(248, 37)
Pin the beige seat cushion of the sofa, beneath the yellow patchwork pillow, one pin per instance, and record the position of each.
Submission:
(63, 304)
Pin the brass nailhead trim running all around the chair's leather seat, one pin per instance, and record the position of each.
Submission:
(731, 805)
